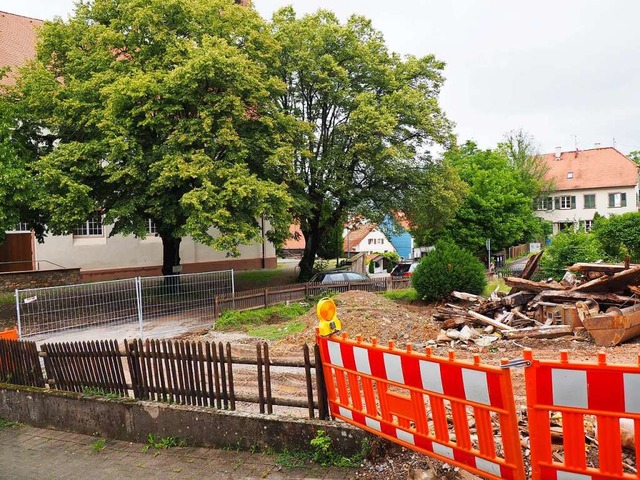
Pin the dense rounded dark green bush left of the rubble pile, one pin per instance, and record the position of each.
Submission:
(448, 268)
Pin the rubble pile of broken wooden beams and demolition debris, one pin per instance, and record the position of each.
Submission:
(593, 301)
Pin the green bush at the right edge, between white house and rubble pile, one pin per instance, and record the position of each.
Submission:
(619, 235)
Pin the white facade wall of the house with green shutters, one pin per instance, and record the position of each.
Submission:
(580, 214)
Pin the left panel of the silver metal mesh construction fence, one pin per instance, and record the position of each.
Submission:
(54, 309)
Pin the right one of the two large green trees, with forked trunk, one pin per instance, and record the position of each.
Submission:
(366, 117)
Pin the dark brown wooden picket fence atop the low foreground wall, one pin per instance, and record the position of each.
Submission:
(180, 372)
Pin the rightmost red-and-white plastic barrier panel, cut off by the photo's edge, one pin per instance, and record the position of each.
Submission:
(608, 392)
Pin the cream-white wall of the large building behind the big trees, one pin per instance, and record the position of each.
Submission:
(98, 253)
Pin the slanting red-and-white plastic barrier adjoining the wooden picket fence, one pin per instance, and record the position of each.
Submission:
(412, 398)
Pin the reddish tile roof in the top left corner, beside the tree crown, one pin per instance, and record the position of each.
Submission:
(17, 41)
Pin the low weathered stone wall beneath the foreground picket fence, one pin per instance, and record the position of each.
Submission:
(131, 420)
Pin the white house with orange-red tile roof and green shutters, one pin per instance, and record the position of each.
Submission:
(598, 180)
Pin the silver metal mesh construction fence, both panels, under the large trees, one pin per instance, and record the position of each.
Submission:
(177, 302)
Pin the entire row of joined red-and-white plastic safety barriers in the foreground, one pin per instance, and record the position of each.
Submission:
(427, 403)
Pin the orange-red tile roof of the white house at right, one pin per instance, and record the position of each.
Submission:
(594, 168)
